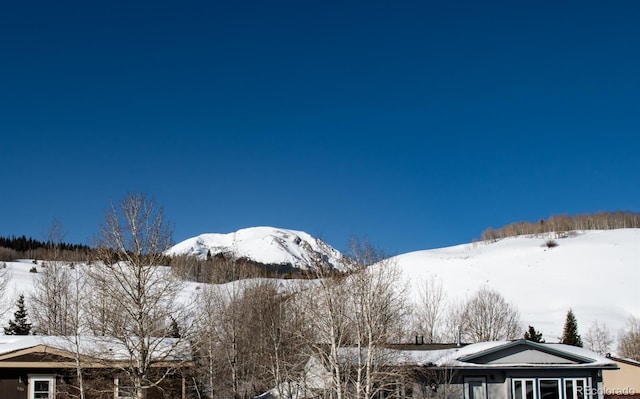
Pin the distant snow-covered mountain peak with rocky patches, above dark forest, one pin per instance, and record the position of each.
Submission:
(267, 245)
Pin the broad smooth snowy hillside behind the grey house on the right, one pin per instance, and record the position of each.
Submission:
(596, 273)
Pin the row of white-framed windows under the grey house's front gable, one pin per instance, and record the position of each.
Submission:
(550, 388)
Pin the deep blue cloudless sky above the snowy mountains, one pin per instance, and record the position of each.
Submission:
(415, 124)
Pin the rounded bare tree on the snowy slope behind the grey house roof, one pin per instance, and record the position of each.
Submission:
(488, 317)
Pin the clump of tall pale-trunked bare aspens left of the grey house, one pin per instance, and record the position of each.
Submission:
(353, 318)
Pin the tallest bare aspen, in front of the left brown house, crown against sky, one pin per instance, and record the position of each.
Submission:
(141, 294)
